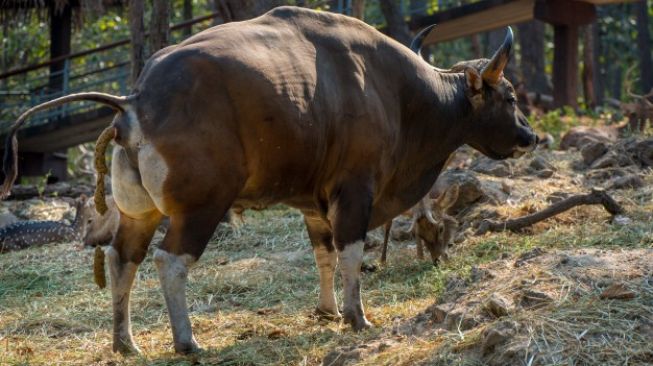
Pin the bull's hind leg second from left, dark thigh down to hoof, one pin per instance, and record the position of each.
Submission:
(184, 243)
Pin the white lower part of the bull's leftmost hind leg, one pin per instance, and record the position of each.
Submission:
(122, 277)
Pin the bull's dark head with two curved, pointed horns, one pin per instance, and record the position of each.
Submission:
(499, 129)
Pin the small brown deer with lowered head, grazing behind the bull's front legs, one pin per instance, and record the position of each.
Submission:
(431, 226)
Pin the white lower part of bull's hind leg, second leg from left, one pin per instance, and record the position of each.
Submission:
(173, 273)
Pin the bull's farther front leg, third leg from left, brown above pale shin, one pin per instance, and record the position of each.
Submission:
(326, 259)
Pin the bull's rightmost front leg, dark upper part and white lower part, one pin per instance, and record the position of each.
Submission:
(349, 213)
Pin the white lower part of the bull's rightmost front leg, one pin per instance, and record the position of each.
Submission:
(350, 260)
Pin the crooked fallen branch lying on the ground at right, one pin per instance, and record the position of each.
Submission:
(595, 197)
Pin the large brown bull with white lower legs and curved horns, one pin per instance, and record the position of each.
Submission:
(315, 110)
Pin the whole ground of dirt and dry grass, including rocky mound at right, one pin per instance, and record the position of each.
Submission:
(574, 289)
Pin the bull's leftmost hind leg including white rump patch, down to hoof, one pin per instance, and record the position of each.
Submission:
(138, 221)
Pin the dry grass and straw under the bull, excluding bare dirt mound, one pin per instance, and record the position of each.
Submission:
(253, 292)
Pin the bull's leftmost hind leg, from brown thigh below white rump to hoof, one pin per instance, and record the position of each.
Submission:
(124, 256)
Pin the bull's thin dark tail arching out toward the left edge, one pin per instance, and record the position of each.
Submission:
(10, 161)
